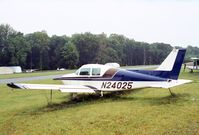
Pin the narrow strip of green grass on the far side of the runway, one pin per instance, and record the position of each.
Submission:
(40, 73)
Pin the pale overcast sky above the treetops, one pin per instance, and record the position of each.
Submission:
(175, 22)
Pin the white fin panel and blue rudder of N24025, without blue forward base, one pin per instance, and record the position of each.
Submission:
(172, 64)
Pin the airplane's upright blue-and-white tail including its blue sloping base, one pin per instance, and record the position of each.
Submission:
(170, 67)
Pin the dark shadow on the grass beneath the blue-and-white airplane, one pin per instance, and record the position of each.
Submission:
(85, 99)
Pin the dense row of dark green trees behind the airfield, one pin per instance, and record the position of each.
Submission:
(39, 51)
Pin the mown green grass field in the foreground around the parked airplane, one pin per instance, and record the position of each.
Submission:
(149, 111)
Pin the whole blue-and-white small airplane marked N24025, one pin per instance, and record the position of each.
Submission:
(98, 78)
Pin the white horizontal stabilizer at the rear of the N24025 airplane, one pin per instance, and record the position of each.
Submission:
(170, 84)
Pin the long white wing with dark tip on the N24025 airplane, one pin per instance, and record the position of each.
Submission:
(62, 88)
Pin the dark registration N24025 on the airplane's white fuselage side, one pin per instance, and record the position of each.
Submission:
(117, 85)
